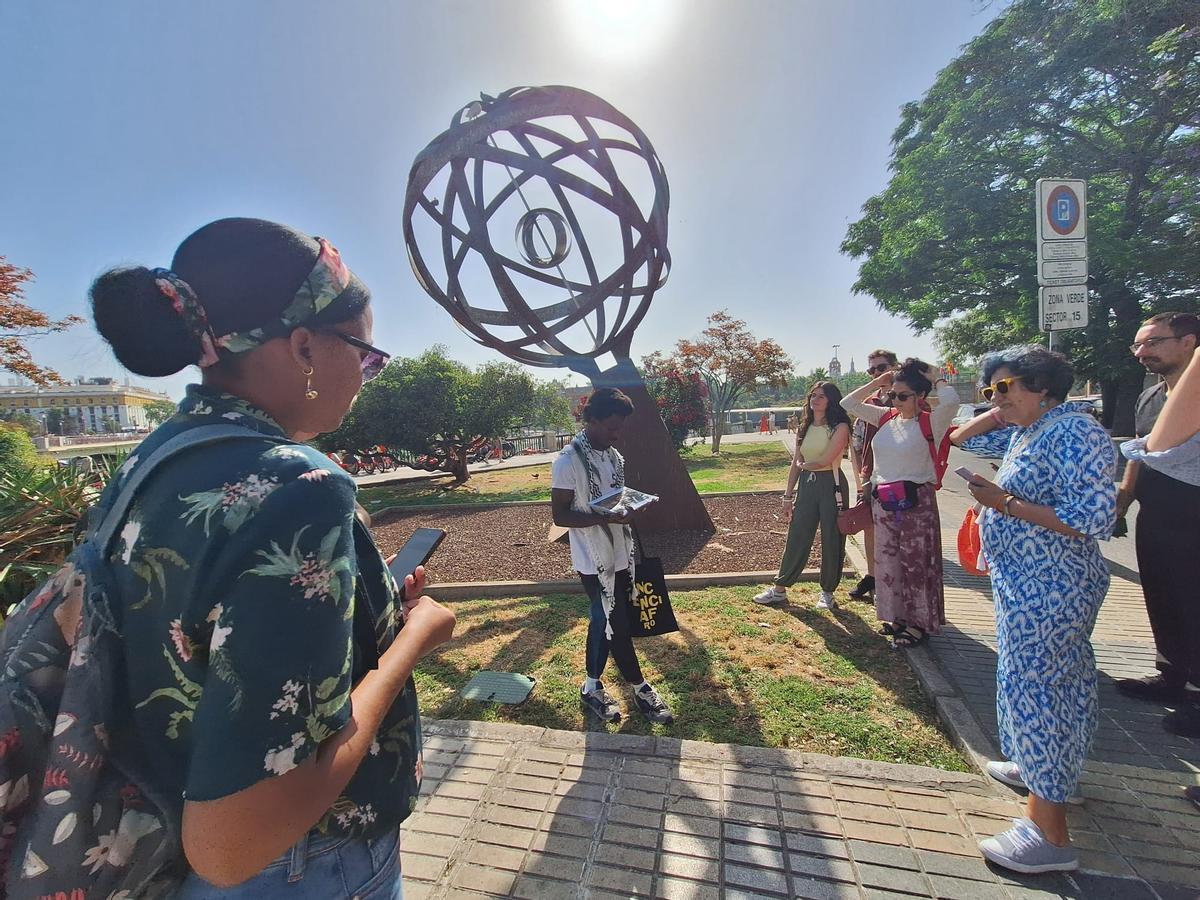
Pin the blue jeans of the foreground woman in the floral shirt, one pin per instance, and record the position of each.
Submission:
(321, 868)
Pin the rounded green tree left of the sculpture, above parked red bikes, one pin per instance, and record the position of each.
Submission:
(433, 405)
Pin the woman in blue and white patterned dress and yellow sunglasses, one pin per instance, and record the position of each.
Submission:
(1054, 497)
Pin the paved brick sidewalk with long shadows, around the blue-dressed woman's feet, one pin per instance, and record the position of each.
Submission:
(536, 813)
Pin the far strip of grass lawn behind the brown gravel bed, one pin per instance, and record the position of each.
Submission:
(741, 467)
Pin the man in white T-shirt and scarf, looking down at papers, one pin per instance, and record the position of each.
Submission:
(603, 553)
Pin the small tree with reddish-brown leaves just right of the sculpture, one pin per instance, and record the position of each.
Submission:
(731, 362)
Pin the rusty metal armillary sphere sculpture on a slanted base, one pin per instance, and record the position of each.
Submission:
(539, 221)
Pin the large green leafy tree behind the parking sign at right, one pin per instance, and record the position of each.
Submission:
(1107, 91)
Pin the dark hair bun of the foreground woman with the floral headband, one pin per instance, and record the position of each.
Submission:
(147, 335)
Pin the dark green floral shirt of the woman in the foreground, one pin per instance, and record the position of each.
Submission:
(244, 580)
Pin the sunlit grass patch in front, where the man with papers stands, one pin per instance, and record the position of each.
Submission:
(739, 674)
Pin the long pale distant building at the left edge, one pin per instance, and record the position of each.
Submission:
(97, 405)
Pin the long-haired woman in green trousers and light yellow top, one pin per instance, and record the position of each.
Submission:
(812, 497)
